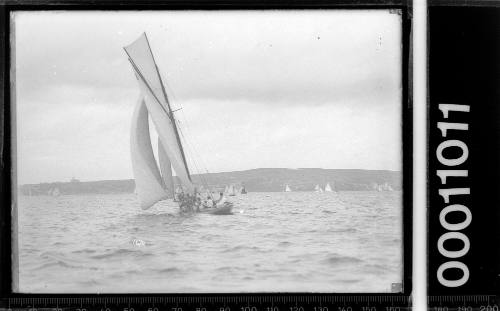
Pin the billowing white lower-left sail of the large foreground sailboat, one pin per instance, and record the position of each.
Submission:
(148, 183)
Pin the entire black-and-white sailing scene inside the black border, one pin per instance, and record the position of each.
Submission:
(190, 151)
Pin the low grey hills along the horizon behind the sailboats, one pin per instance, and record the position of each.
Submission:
(256, 180)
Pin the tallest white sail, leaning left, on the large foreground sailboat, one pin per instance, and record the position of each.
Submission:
(157, 105)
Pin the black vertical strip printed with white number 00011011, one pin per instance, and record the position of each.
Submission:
(464, 156)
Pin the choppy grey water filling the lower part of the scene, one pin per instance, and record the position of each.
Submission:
(274, 242)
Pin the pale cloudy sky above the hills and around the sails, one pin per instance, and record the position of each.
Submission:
(288, 89)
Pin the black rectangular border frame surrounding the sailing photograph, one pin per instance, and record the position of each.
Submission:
(6, 198)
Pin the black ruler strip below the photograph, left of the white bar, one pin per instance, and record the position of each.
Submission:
(250, 302)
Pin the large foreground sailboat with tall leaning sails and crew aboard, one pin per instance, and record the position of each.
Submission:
(154, 184)
